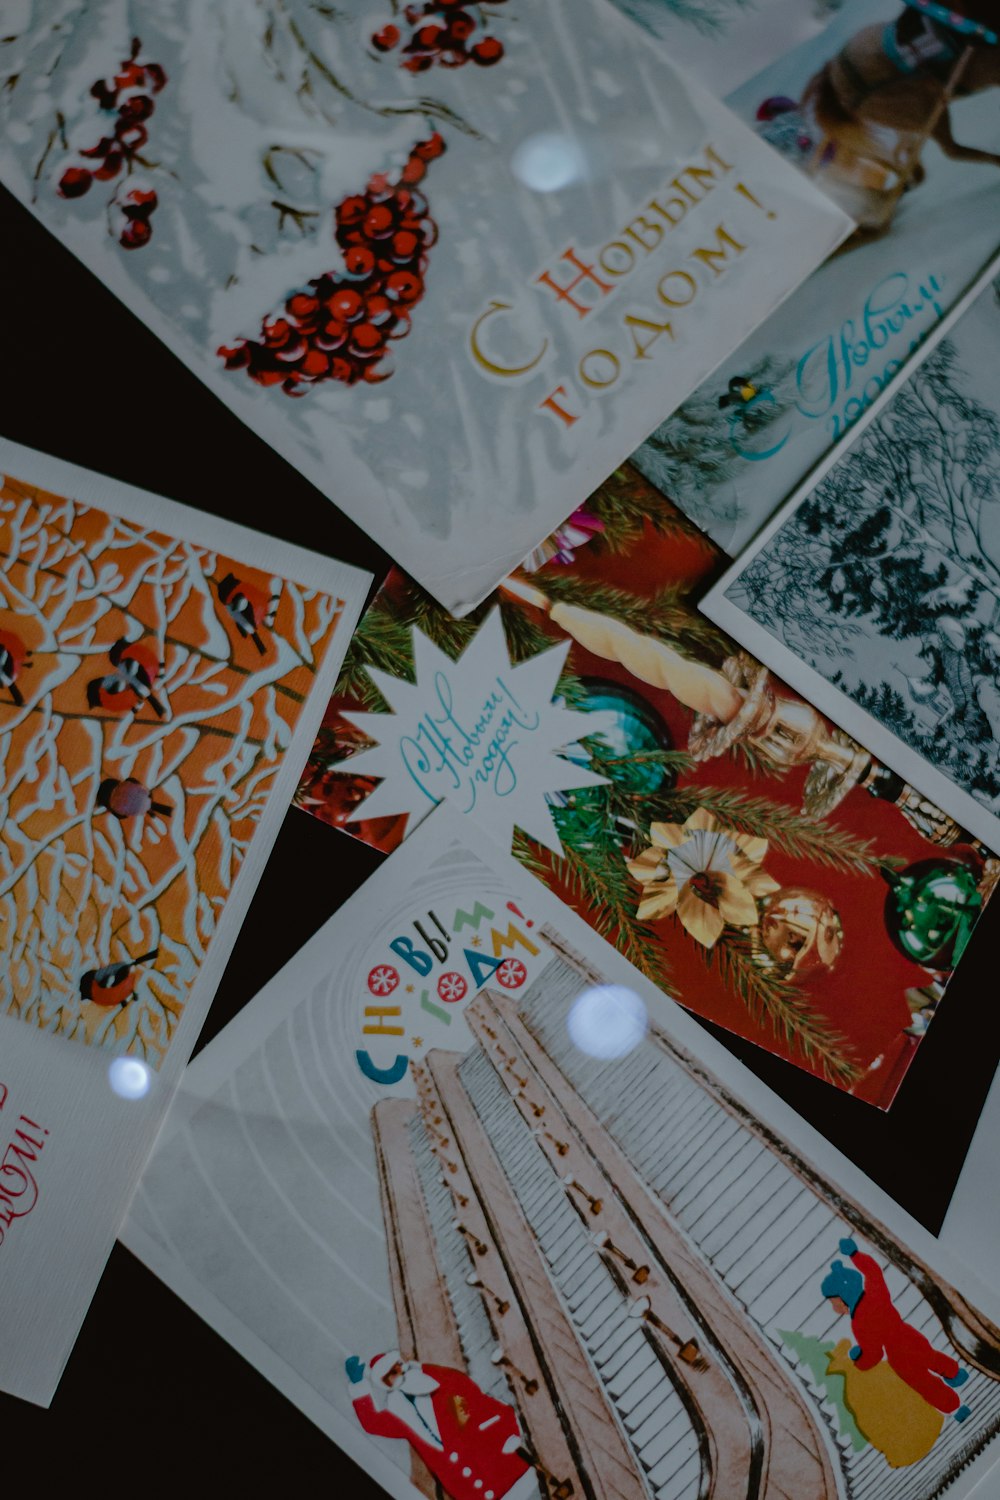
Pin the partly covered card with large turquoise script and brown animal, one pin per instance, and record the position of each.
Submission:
(893, 110)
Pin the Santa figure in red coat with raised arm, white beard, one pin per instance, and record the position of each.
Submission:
(470, 1441)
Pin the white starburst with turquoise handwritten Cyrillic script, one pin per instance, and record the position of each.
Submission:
(481, 734)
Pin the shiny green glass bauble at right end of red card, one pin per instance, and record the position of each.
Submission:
(932, 910)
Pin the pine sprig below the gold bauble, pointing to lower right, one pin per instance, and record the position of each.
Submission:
(783, 1006)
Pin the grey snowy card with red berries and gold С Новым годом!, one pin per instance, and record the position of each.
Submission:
(455, 262)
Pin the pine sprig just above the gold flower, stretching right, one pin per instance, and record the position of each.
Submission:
(795, 835)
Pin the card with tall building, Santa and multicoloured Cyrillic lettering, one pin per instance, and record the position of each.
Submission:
(534, 1235)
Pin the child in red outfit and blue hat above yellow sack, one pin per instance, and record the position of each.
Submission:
(882, 1334)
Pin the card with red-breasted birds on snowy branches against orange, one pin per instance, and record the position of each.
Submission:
(163, 674)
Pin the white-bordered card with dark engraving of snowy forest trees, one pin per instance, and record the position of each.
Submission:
(879, 590)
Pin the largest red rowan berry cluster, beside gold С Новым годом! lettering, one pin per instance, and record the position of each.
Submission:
(341, 326)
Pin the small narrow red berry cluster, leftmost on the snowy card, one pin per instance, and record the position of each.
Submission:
(130, 97)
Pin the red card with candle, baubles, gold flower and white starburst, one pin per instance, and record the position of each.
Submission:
(749, 859)
